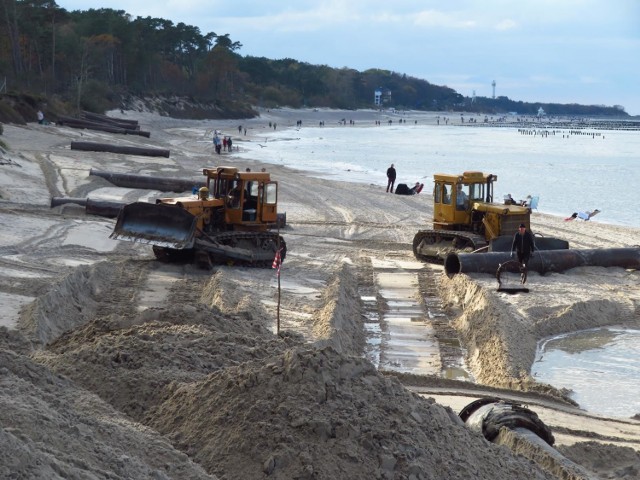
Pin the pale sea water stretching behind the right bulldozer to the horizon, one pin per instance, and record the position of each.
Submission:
(569, 172)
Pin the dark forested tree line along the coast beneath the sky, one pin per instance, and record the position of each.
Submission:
(92, 59)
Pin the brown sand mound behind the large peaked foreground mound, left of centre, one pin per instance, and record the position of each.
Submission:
(132, 367)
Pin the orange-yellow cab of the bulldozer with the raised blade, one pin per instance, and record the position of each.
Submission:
(250, 199)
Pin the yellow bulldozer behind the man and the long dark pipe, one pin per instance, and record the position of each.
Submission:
(466, 219)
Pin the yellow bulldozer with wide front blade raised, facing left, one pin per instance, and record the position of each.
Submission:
(229, 220)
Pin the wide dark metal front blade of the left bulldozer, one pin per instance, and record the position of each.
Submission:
(161, 225)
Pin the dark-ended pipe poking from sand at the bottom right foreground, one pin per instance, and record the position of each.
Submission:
(520, 429)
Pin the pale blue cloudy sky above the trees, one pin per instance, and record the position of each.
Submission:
(548, 51)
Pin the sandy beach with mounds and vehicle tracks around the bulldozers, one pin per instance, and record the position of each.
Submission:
(117, 366)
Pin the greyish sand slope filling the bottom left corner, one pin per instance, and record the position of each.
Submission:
(53, 429)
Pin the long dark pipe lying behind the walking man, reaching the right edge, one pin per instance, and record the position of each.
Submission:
(544, 261)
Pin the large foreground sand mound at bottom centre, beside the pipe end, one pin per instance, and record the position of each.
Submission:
(318, 414)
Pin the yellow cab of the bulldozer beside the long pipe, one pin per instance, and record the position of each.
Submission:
(454, 198)
